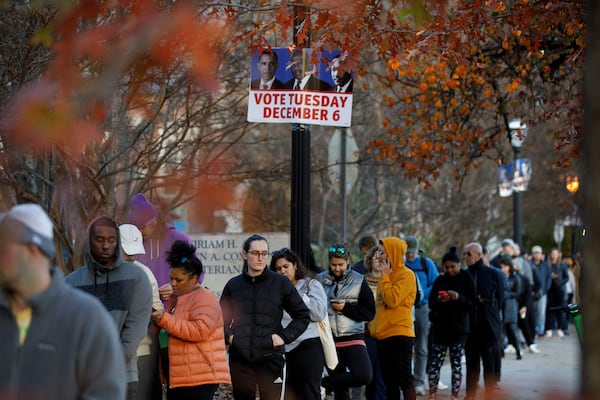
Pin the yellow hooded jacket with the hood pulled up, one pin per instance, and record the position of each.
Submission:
(395, 295)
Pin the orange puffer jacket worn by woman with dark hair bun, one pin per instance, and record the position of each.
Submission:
(197, 354)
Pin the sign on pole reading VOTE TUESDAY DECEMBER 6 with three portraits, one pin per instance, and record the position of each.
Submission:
(301, 86)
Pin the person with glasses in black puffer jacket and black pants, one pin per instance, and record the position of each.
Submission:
(253, 304)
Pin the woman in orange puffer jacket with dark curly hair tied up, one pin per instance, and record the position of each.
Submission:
(194, 323)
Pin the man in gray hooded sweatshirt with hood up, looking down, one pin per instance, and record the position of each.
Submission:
(121, 286)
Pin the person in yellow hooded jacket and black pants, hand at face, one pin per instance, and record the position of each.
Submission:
(392, 326)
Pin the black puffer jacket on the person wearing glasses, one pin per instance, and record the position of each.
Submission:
(252, 311)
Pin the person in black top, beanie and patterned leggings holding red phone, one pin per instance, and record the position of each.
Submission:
(451, 300)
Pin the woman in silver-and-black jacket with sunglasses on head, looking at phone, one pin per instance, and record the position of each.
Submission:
(351, 303)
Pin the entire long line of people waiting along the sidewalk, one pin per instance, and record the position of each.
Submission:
(134, 322)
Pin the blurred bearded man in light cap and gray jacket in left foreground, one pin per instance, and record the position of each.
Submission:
(56, 341)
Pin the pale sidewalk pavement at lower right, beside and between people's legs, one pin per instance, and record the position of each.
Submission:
(552, 374)
